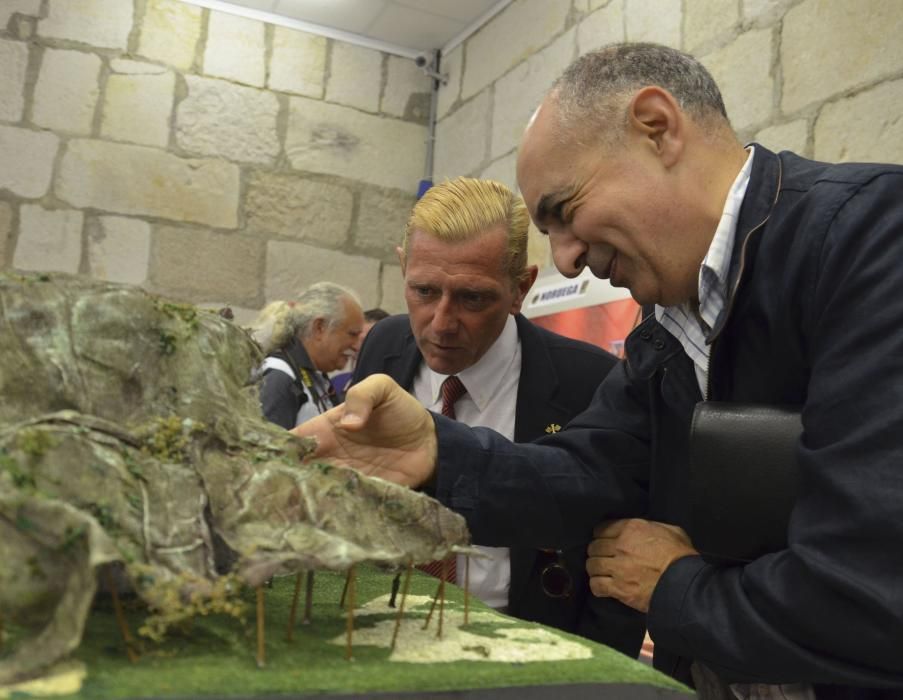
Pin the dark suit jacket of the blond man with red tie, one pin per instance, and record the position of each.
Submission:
(557, 381)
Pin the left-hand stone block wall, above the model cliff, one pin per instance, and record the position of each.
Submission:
(205, 156)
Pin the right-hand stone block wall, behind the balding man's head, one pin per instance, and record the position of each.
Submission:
(823, 78)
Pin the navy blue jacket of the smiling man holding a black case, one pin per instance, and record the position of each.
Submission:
(814, 318)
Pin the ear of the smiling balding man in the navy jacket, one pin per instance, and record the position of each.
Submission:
(655, 115)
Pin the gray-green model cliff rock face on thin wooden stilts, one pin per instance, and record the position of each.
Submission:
(130, 432)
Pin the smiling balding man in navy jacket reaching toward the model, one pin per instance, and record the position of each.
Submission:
(775, 280)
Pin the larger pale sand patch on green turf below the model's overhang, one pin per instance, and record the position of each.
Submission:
(512, 641)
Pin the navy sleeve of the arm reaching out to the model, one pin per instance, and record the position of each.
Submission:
(550, 493)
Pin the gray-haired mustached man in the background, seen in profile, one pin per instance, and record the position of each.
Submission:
(303, 341)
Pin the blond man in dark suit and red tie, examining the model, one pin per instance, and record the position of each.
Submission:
(464, 349)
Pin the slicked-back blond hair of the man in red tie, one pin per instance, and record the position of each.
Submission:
(464, 208)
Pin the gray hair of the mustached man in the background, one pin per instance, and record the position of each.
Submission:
(281, 321)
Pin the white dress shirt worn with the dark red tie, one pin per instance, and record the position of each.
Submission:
(491, 402)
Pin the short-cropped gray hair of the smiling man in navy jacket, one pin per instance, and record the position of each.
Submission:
(592, 91)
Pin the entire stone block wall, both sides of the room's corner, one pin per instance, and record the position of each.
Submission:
(225, 161)
